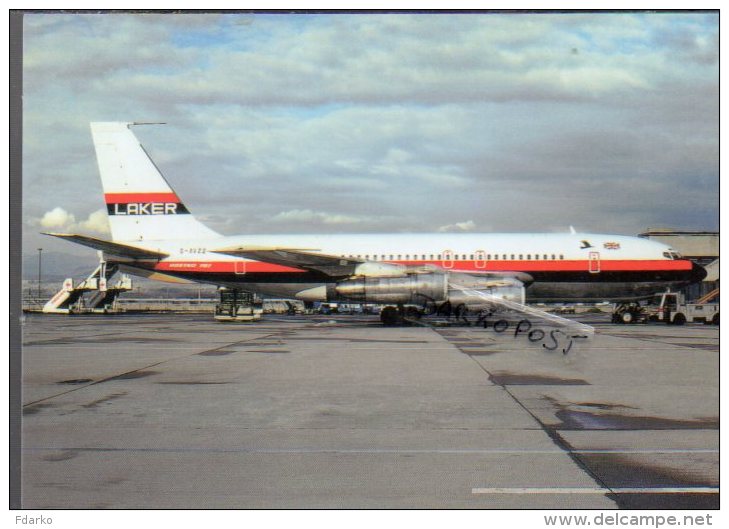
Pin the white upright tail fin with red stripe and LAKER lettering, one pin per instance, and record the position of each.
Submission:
(141, 204)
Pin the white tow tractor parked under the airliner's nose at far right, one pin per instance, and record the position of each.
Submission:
(671, 308)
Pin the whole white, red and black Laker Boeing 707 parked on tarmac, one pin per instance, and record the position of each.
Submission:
(153, 234)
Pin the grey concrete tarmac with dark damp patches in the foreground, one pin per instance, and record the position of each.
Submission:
(179, 411)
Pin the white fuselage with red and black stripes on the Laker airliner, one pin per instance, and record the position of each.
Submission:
(565, 267)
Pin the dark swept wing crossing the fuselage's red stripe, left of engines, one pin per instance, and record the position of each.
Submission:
(298, 258)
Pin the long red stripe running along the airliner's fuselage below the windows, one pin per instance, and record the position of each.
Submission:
(458, 266)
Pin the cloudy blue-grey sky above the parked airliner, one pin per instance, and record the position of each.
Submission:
(377, 123)
